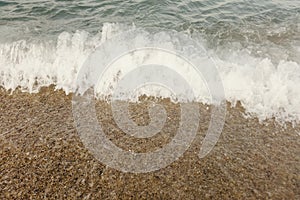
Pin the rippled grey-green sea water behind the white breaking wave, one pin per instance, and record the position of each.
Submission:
(272, 22)
